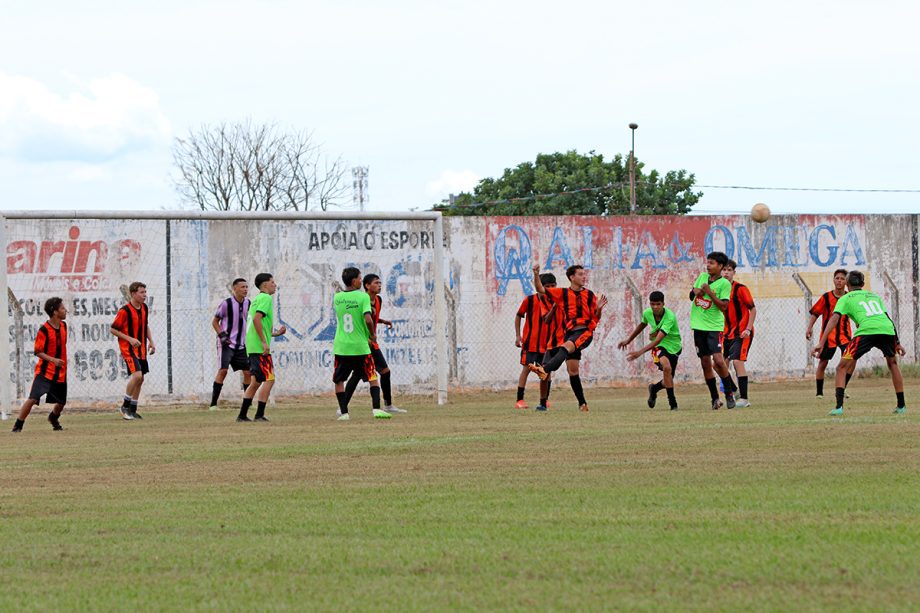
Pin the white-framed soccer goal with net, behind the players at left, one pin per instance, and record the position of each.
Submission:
(188, 260)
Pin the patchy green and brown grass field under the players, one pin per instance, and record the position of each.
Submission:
(472, 506)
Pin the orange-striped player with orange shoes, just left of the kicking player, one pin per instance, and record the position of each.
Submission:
(534, 311)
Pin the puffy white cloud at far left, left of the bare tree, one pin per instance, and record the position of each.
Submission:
(102, 119)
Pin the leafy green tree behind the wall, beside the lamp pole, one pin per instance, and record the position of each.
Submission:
(575, 184)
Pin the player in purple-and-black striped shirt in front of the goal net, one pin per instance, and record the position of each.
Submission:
(230, 325)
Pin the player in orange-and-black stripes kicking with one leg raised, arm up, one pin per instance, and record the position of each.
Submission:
(581, 310)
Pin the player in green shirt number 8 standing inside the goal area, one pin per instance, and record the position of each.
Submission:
(354, 336)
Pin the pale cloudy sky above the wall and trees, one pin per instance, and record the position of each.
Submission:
(433, 96)
